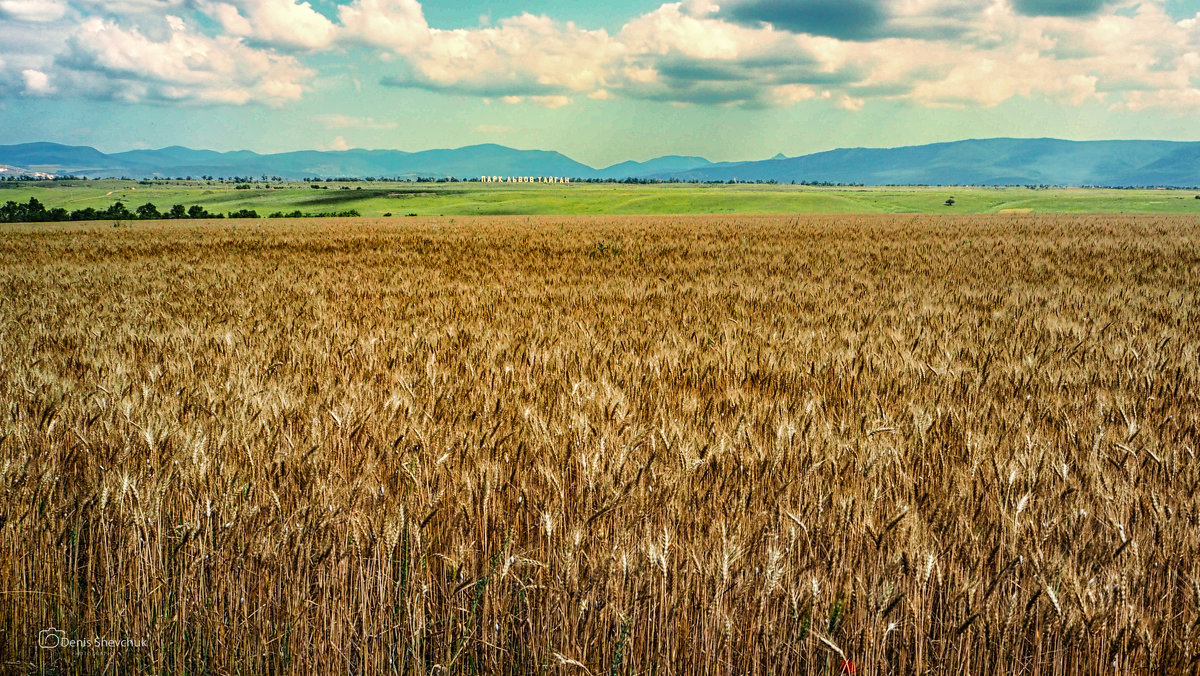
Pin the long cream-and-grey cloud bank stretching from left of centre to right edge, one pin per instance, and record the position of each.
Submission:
(761, 53)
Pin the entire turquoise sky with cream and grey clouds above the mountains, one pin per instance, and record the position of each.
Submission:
(599, 81)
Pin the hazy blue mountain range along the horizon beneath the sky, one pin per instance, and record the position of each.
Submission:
(995, 161)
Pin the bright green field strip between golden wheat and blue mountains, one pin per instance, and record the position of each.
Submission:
(470, 199)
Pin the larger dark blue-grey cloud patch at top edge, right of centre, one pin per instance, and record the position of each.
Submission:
(844, 20)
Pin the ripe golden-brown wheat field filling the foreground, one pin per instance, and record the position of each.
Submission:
(674, 446)
